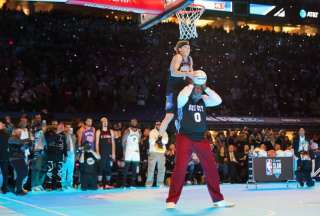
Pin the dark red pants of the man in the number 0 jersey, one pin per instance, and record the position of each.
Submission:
(184, 149)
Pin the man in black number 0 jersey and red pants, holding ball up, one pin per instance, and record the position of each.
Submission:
(191, 126)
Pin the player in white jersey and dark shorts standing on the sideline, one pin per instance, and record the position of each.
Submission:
(131, 139)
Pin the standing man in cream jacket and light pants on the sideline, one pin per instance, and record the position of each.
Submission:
(157, 149)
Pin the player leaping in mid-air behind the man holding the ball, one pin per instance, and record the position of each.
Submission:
(181, 67)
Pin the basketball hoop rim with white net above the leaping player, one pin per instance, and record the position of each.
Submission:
(188, 18)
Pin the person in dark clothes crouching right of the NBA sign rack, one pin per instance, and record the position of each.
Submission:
(303, 172)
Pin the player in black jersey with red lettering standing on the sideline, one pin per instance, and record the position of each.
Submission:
(105, 147)
